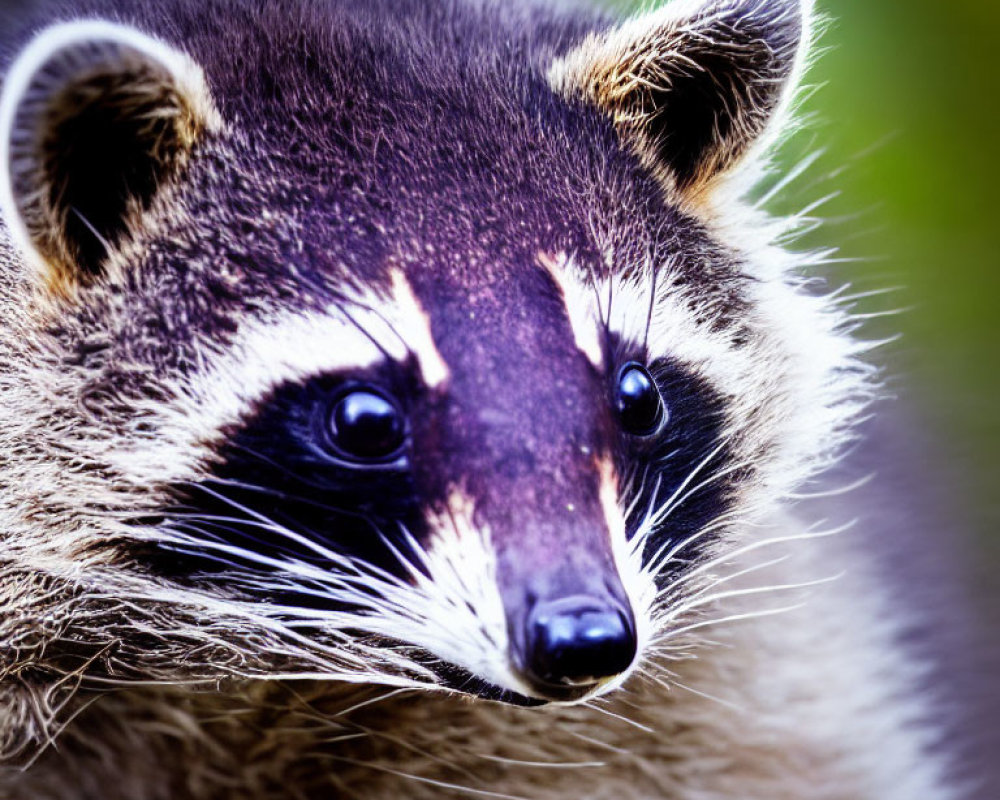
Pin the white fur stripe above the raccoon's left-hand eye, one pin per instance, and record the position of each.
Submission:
(282, 347)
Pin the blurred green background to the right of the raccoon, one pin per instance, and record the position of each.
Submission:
(905, 115)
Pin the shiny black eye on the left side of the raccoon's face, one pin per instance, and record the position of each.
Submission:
(366, 426)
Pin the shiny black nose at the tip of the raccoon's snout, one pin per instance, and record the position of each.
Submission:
(577, 641)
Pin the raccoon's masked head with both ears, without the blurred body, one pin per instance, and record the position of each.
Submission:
(374, 364)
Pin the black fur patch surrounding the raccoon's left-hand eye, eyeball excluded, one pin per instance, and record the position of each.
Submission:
(278, 483)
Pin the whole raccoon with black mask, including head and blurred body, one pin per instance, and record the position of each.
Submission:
(403, 398)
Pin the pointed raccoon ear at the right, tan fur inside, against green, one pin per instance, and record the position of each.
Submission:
(693, 85)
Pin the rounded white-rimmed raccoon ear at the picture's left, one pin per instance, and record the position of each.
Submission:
(95, 117)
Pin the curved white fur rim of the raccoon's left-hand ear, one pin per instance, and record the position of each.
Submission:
(49, 42)
